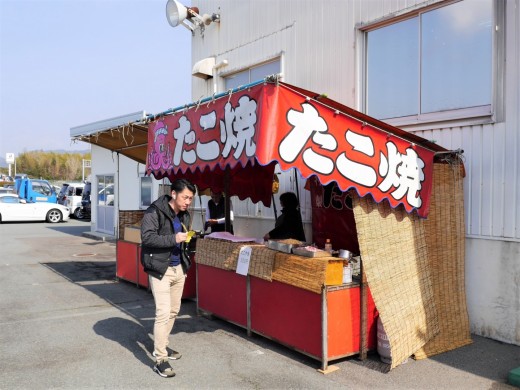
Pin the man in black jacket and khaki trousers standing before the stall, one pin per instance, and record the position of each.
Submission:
(165, 258)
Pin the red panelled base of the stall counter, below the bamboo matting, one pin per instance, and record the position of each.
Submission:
(323, 326)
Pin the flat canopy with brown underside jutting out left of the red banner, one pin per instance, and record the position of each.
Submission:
(123, 134)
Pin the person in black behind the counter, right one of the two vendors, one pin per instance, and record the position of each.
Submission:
(289, 224)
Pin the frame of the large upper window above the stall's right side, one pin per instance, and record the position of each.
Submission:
(491, 113)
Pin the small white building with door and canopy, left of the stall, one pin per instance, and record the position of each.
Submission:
(120, 181)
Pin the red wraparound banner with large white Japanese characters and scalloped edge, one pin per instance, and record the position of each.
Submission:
(271, 122)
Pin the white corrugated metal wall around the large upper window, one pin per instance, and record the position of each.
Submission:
(318, 43)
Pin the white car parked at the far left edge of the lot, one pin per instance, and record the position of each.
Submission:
(12, 208)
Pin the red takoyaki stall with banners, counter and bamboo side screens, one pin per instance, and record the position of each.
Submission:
(231, 142)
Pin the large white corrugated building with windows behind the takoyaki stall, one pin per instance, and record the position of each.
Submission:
(446, 70)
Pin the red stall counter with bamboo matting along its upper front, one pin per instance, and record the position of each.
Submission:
(298, 301)
